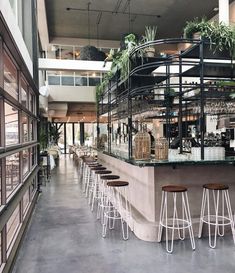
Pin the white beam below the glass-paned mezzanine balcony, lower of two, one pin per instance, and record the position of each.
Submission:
(72, 93)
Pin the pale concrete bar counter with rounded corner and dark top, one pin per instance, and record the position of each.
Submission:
(147, 178)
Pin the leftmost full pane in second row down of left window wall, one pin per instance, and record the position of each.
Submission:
(11, 125)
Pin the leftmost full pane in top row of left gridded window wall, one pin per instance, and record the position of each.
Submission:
(10, 77)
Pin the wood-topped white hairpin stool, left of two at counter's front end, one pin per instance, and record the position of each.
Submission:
(175, 223)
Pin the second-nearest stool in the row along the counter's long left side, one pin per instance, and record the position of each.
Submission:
(102, 202)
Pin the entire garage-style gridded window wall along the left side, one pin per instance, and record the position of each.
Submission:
(18, 159)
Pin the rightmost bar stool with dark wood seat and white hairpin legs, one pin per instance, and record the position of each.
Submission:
(218, 218)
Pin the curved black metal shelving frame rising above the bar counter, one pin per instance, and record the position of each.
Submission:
(195, 59)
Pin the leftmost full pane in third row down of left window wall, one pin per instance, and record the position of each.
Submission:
(12, 173)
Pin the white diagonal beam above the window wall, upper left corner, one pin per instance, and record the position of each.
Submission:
(8, 15)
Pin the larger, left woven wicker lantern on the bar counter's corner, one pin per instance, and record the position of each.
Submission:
(142, 146)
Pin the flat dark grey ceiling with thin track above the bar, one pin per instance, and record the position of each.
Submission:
(116, 21)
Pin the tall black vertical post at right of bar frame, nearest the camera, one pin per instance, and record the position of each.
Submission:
(202, 114)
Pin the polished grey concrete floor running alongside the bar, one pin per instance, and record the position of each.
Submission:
(64, 236)
